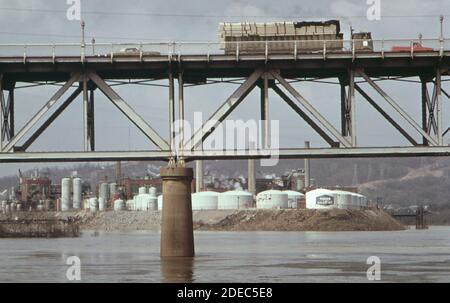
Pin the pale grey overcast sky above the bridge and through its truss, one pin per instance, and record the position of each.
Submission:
(42, 21)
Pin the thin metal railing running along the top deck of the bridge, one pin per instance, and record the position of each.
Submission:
(234, 48)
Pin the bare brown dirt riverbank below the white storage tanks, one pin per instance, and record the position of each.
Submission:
(239, 220)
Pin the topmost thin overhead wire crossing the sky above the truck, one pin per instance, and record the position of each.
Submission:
(172, 15)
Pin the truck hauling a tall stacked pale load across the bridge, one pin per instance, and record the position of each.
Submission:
(287, 37)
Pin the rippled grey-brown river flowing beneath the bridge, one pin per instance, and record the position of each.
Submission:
(406, 256)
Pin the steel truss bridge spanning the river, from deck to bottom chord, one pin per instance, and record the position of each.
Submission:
(88, 68)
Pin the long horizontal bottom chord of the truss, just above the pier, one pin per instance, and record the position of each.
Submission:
(286, 153)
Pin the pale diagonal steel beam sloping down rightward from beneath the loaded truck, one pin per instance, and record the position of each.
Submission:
(312, 111)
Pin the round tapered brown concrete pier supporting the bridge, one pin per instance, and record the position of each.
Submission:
(177, 234)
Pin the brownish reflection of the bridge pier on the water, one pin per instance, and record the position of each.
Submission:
(177, 270)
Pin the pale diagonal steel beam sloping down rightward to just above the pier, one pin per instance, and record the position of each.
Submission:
(129, 112)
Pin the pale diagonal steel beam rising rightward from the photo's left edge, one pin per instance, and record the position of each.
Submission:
(53, 100)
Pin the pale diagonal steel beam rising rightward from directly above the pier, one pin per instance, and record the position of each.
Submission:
(224, 110)
